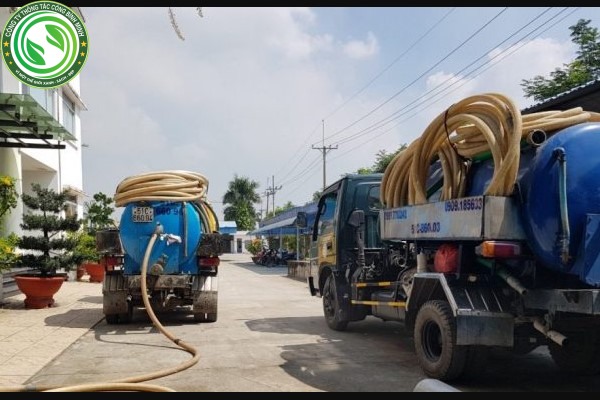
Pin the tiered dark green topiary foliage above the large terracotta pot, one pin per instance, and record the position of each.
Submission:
(50, 250)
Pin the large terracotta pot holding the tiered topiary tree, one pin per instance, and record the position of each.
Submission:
(39, 291)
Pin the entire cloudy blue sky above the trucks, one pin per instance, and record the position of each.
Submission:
(248, 89)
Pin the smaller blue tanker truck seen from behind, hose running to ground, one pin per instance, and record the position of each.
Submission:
(168, 247)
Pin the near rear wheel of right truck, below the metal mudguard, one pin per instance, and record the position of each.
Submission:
(435, 341)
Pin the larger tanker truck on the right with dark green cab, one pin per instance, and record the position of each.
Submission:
(463, 267)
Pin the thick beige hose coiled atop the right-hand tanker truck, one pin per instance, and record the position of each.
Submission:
(487, 123)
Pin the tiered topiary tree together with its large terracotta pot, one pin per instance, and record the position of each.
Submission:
(48, 252)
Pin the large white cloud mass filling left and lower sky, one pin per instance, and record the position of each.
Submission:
(245, 94)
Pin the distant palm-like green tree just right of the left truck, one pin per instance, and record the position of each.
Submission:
(239, 200)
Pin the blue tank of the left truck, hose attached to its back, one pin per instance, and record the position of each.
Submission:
(176, 246)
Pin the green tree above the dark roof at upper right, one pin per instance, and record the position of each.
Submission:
(585, 67)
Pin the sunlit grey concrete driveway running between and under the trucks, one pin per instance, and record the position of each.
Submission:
(271, 336)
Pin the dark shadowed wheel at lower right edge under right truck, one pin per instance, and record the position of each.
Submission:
(580, 357)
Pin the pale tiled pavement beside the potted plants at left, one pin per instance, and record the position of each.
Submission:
(32, 338)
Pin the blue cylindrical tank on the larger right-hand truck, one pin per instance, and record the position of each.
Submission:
(538, 192)
